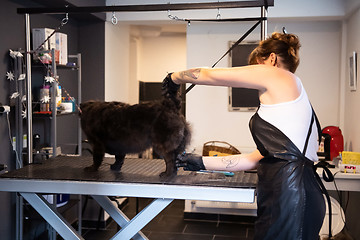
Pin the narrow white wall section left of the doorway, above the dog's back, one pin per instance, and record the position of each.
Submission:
(117, 55)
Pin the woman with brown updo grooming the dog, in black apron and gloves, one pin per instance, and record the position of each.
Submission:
(290, 201)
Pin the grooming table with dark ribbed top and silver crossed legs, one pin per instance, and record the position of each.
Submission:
(138, 178)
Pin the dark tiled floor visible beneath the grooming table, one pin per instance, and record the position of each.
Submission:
(171, 225)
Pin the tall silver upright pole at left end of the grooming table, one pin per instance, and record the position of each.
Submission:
(28, 89)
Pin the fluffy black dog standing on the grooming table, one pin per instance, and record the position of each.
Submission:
(119, 128)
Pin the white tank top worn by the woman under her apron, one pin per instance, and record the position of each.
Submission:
(293, 119)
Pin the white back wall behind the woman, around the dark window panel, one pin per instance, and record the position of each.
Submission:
(319, 70)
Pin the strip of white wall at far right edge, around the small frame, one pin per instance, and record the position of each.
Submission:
(352, 99)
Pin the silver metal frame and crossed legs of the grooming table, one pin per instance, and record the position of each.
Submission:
(163, 195)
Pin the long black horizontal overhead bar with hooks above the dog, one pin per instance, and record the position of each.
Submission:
(151, 7)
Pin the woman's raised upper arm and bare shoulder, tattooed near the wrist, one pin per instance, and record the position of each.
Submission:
(275, 85)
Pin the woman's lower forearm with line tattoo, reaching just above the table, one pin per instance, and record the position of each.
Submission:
(233, 163)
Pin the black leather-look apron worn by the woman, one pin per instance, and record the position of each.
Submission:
(290, 201)
